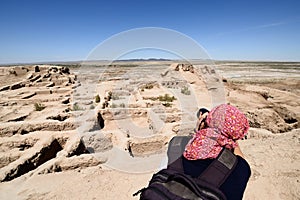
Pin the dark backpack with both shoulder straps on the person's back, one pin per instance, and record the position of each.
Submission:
(173, 184)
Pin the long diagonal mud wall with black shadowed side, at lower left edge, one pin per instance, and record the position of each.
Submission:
(29, 162)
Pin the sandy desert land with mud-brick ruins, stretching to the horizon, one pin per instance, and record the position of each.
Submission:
(100, 131)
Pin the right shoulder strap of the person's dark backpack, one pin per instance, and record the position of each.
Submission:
(219, 170)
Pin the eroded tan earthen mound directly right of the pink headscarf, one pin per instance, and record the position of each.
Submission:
(266, 104)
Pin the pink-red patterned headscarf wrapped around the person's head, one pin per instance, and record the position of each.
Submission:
(226, 124)
